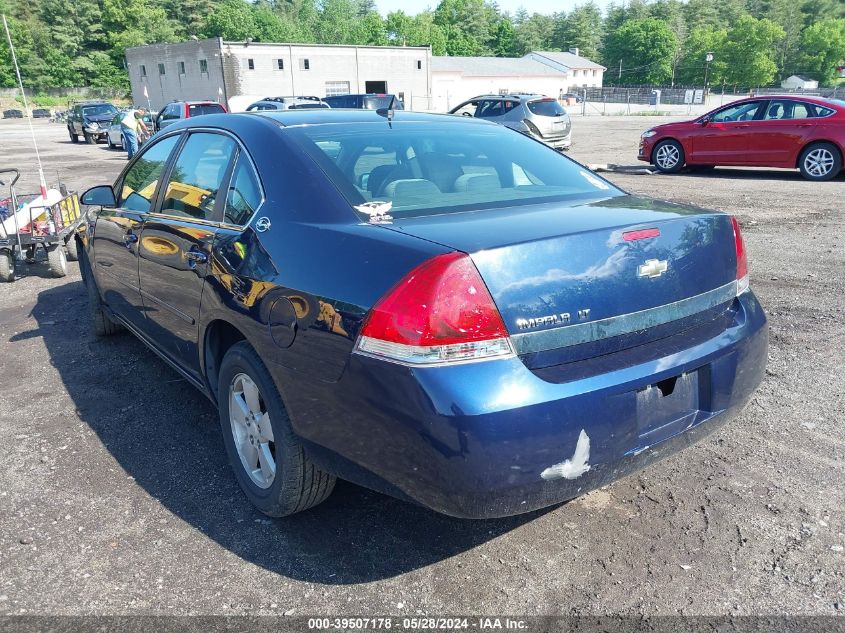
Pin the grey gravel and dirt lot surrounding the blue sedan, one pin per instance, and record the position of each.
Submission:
(115, 494)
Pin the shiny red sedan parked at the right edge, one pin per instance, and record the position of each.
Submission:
(807, 133)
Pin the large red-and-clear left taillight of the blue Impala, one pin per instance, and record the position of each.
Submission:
(439, 312)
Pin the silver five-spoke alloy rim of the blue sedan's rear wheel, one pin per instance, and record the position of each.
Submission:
(252, 431)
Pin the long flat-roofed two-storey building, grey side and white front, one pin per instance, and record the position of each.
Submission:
(238, 73)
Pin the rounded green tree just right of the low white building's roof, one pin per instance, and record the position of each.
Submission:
(646, 47)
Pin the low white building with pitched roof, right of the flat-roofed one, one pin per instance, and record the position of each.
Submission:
(457, 79)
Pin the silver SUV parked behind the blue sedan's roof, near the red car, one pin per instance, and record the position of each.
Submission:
(536, 115)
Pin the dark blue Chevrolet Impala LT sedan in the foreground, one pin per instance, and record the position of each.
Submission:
(434, 307)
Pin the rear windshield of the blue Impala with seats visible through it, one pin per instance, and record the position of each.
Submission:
(436, 168)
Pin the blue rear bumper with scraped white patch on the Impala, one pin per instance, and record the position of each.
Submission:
(493, 439)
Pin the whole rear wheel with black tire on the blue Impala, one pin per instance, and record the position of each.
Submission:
(266, 456)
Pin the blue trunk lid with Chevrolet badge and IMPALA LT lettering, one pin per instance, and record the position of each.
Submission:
(594, 277)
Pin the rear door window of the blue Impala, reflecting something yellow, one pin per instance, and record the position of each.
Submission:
(197, 176)
